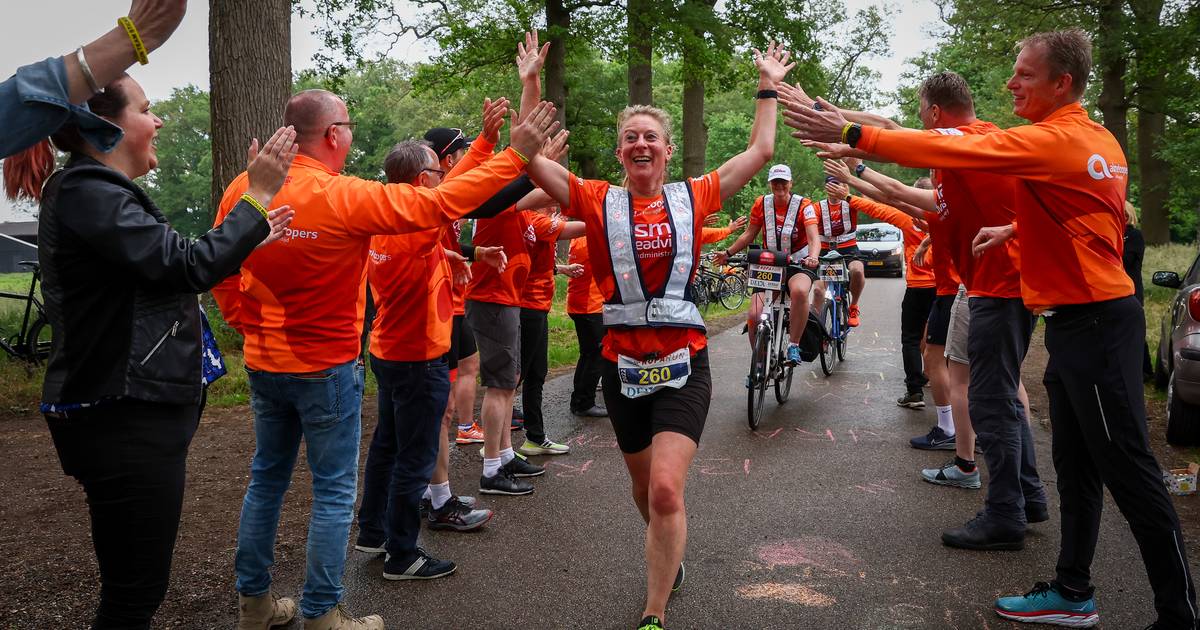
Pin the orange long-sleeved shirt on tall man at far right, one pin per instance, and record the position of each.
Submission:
(1070, 203)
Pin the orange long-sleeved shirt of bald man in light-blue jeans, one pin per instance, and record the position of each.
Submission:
(299, 301)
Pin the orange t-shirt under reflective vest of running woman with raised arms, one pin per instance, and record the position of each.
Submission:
(655, 247)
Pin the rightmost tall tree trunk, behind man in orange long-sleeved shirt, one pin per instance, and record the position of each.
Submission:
(1154, 175)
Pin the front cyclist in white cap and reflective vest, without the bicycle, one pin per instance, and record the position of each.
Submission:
(790, 213)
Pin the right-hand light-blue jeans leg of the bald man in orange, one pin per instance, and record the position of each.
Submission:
(329, 410)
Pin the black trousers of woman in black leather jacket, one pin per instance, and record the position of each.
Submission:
(130, 458)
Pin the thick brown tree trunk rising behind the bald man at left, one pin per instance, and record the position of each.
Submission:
(250, 74)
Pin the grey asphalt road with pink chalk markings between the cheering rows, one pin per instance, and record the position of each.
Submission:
(818, 520)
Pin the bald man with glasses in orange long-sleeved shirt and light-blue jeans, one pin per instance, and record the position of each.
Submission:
(299, 307)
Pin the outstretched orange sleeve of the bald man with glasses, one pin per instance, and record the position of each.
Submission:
(368, 208)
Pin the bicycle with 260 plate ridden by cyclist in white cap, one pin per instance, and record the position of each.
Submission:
(769, 361)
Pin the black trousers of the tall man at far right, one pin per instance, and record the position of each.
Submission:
(1099, 416)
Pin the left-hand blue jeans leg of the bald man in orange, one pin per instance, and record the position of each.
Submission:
(277, 446)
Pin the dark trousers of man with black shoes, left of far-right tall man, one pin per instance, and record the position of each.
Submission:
(998, 341)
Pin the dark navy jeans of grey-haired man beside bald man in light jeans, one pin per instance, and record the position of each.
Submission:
(413, 397)
